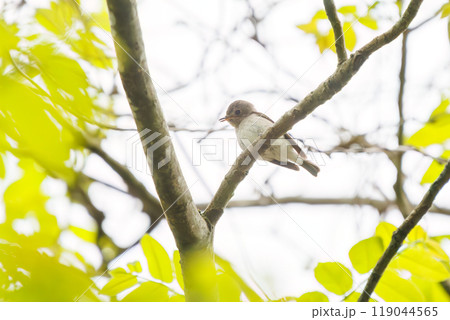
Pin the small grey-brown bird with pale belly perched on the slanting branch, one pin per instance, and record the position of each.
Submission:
(251, 124)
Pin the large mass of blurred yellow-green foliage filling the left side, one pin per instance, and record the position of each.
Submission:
(50, 103)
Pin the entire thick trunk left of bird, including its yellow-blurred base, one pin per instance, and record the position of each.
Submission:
(191, 231)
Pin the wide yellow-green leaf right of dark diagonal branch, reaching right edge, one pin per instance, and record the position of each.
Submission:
(421, 263)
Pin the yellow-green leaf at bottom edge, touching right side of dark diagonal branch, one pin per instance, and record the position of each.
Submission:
(393, 288)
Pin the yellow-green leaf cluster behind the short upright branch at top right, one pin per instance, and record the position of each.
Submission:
(349, 17)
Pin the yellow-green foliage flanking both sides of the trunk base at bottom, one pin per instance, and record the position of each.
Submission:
(166, 283)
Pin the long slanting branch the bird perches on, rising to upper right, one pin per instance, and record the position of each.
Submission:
(322, 93)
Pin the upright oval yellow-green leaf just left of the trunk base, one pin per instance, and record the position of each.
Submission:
(158, 260)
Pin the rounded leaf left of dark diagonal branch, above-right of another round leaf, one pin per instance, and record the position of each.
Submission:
(365, 254)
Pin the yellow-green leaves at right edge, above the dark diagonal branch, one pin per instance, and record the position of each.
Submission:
(435, 132)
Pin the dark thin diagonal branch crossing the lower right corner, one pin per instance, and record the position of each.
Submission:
(400, 234)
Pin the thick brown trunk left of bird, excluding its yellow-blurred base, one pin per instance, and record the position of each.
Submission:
(187, 225)
